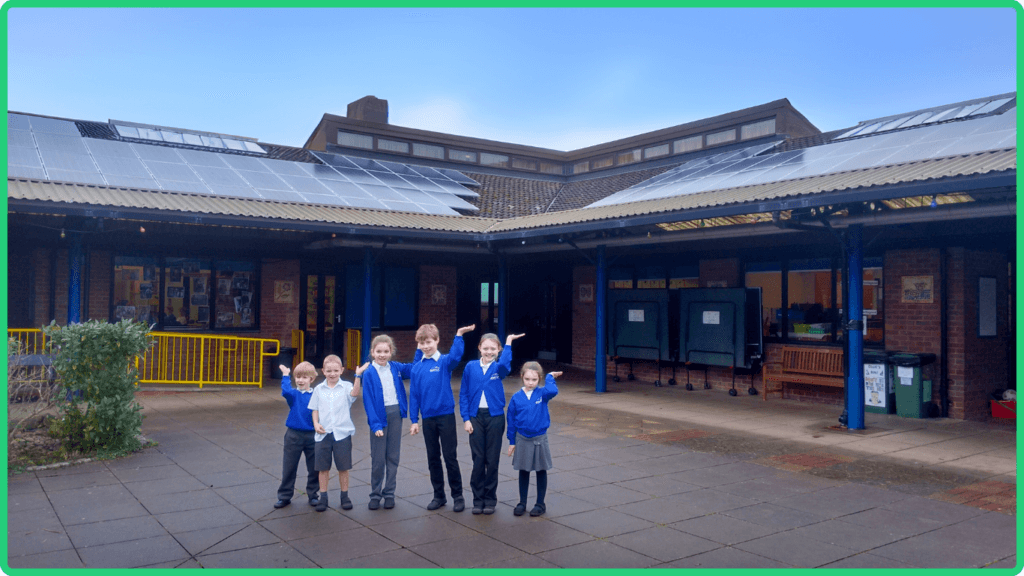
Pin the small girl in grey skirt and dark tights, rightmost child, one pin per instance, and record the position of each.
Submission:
(529, 421)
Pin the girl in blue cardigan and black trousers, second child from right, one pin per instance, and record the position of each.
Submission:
(482, 402)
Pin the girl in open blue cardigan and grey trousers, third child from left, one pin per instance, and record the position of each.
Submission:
(385, 399)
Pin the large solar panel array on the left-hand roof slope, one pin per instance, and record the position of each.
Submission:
(54, 150)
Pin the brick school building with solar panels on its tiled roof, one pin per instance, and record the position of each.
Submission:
(216, 234)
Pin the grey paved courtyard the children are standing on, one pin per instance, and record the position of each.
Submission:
(644, 477)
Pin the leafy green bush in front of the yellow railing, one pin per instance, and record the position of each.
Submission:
(97, 364)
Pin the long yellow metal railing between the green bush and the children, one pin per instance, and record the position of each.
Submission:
(202, 359)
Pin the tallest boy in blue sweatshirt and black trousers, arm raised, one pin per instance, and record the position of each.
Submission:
(431, 393)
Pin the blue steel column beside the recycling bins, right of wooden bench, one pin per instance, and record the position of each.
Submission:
(856, 382)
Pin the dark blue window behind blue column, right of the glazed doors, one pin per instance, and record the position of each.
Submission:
(396, 286)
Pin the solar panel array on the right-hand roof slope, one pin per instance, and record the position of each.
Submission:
(745, 168)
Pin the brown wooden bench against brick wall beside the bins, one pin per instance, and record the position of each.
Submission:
(803, 365)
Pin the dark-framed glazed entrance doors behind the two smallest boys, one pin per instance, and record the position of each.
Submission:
(321, 316)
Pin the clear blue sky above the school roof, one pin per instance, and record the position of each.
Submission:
(553, 78)
